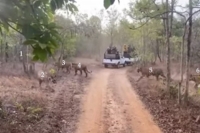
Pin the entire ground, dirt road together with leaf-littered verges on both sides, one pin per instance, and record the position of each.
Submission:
(105, 102)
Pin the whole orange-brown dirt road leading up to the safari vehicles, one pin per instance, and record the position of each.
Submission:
(112, 106)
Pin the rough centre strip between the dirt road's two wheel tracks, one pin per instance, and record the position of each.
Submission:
(115, 118)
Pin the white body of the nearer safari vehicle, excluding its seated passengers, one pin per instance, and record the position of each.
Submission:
(113, 60)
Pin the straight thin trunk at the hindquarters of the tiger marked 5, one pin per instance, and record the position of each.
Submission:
(168, 45)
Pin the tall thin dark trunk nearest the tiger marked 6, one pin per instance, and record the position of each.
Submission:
(188, 51)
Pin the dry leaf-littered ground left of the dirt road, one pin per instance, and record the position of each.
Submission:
(24, 108)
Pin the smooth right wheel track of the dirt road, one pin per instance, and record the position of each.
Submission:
(140, 119)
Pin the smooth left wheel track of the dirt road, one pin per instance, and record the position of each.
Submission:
(93, 102)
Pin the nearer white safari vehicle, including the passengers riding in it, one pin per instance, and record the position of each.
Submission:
(113, 58)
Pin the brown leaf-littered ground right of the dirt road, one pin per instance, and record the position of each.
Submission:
(170, 117)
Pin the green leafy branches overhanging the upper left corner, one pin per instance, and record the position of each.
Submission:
(34, 20)
